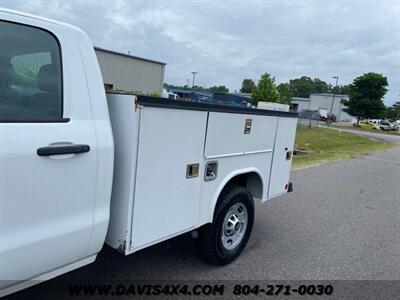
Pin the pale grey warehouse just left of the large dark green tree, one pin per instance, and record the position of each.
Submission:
(323, 101)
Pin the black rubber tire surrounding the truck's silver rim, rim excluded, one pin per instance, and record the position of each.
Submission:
(211, 245)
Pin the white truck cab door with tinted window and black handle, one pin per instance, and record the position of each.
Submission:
(48, 155)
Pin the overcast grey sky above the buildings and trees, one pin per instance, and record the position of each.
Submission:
(226, 41)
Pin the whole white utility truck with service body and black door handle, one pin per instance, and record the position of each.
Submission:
(79, 168)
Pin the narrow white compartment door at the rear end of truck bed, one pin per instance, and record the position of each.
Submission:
(282, 156)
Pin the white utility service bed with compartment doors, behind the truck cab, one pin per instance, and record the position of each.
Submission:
(157, 140)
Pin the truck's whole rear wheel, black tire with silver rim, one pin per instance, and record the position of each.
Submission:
(224, 239)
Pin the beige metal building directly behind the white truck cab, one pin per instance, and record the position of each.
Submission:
(127, 72)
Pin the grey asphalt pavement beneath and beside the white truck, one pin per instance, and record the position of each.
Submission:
(342, 222)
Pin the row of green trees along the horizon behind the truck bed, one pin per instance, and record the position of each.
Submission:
(366, 93)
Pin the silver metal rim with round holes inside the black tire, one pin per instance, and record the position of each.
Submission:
(234, 226)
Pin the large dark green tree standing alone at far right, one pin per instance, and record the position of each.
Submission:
(365, 96)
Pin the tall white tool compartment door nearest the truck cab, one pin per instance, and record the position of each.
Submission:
(166, 200)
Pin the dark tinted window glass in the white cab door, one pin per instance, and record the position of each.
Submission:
(30, 74)
